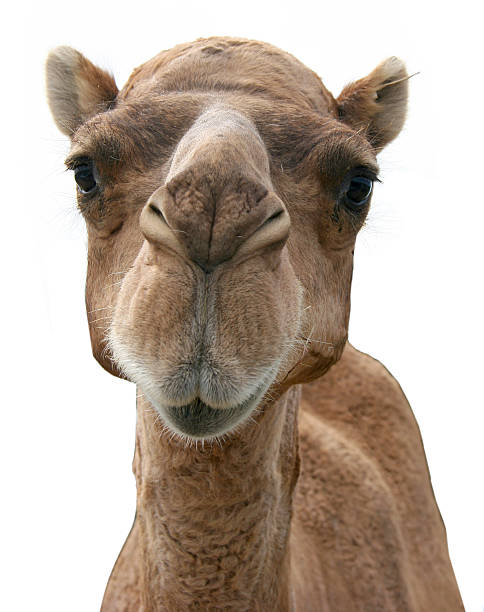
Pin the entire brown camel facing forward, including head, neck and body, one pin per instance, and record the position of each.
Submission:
(277, 467)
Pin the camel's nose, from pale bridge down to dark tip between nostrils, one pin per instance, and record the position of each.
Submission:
(218, 190)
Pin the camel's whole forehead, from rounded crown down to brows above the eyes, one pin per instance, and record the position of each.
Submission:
(285, 101)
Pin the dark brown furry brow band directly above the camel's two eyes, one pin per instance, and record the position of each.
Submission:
(146, 130)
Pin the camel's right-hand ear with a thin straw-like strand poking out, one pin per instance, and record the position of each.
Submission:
(377, 104)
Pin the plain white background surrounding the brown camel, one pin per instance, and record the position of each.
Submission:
(67, 429)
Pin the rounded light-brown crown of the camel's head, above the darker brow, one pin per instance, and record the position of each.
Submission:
(229, 64)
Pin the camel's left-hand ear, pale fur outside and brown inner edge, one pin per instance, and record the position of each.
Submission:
(76, 88)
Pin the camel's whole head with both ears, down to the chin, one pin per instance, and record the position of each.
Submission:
(222, 188)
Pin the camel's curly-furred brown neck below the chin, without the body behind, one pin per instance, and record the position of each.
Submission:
(214, 519)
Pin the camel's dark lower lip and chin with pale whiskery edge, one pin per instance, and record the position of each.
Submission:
(199, 421)
